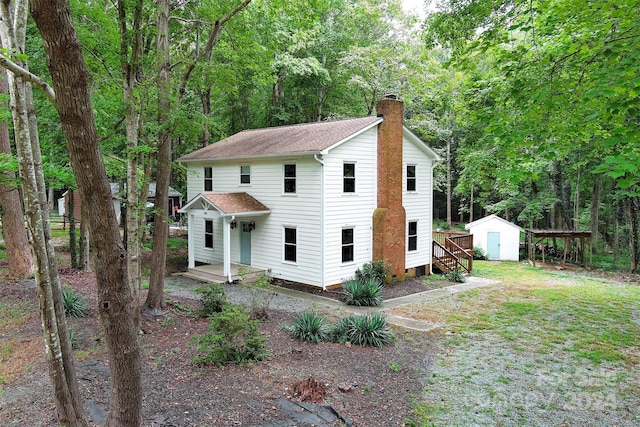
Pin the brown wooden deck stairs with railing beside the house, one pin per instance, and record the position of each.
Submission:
(452, 251)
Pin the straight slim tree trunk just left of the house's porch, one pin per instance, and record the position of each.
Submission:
(155, 296)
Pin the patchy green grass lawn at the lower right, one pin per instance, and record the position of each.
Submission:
(538, 348)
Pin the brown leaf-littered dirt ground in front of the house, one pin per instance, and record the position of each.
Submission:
(359, 386)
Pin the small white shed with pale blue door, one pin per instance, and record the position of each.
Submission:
(498, 238)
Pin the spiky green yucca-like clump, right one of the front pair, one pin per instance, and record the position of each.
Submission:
(367, 329)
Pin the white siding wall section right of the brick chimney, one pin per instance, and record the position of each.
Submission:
(418, 204)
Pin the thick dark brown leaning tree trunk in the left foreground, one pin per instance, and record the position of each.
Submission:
(116, 303)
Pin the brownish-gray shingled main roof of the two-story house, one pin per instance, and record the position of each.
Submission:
(308, 138)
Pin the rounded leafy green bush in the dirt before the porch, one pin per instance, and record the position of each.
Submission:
(232, 338)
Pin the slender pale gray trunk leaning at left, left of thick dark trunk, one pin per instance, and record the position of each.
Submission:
(58, 348)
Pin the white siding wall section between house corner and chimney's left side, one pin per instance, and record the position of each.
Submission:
(353, 210)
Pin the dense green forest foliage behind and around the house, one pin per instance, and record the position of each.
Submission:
(533, 104)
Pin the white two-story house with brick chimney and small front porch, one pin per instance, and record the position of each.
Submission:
(314, 202)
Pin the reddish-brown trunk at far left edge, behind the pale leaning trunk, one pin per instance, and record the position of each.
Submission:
(15, 235)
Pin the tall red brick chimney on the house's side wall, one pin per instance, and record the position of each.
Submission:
(389, 218)
